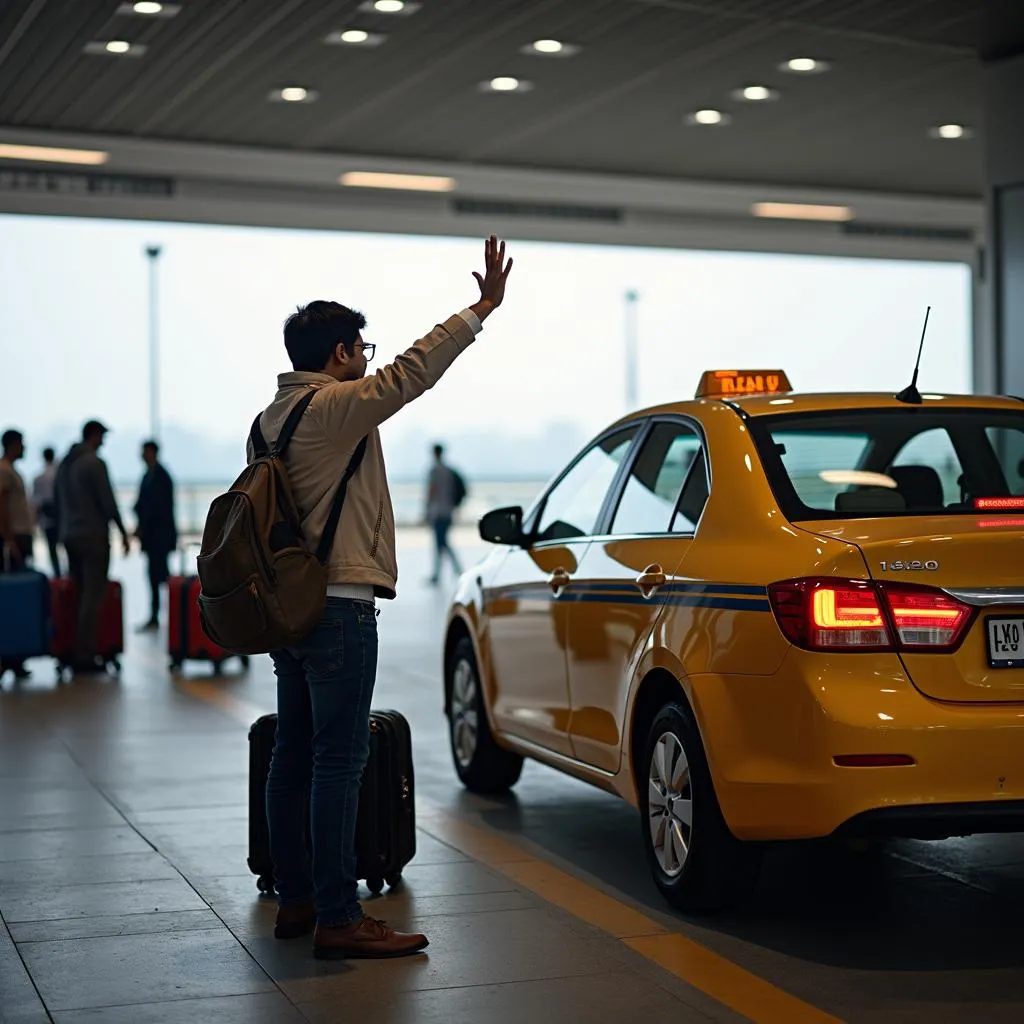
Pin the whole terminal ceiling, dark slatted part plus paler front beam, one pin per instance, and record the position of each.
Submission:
(571, 120)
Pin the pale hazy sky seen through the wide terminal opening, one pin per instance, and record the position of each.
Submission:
(73, 295)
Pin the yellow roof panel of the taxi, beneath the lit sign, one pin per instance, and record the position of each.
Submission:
(833, 402)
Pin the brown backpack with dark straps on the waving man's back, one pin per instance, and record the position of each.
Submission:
(263, 587)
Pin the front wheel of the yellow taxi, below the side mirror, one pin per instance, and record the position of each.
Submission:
(482, 765)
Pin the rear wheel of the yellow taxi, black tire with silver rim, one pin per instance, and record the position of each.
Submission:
(697, 863)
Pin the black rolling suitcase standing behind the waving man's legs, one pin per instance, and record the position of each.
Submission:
(386, 832)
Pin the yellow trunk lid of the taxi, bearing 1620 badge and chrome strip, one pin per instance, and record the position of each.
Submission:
(979, 561)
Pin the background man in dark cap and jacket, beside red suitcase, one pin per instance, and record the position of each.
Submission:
(87, 507)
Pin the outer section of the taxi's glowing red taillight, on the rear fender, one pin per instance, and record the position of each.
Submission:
(828, 615)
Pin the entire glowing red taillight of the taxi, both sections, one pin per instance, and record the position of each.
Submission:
(857, 615)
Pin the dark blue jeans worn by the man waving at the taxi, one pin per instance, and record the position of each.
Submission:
(325, 687)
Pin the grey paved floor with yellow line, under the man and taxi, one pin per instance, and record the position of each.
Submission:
(125, 895)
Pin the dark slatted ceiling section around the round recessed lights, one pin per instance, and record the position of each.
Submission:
(900, 67)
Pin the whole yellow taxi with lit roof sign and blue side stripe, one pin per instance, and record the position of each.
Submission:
(761, 616)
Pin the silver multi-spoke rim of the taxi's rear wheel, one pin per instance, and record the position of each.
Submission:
(670, 805)
